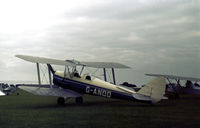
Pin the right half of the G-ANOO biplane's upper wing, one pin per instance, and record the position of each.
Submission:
(104, 65)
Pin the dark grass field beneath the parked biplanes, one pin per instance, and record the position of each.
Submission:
(29, 111)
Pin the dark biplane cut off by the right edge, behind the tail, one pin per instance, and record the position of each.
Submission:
(191, 85)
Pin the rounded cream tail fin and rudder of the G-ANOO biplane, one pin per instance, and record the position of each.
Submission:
(155, 89)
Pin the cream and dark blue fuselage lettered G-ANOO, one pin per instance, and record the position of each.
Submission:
(85, 85)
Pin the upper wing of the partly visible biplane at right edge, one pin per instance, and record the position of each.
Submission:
(174, 77)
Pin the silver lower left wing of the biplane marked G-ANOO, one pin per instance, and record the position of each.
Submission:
(46, 90)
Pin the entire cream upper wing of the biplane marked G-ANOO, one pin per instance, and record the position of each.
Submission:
(71, 62)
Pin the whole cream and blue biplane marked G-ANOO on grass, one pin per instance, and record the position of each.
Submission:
(71, 83)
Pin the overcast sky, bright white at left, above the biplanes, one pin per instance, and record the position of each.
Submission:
(150, 36)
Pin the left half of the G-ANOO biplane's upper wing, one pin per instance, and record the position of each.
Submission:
(44, 60)
